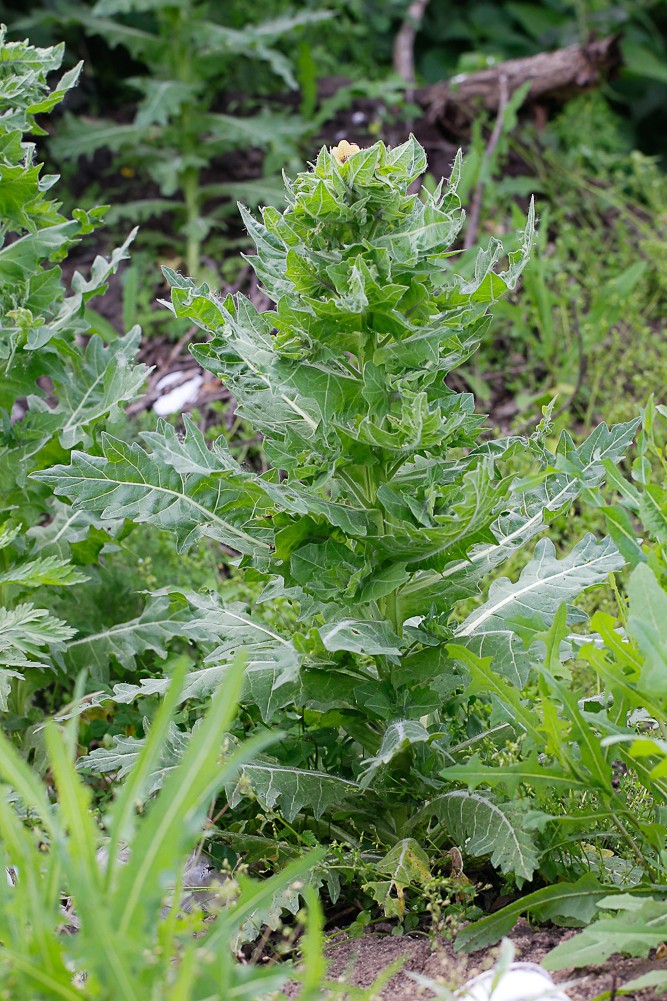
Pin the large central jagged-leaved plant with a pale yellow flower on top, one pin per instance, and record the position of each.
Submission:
(386, 508)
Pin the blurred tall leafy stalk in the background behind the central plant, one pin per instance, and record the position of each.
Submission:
(186, 59)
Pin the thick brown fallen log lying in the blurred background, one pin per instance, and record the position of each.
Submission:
(557, 76)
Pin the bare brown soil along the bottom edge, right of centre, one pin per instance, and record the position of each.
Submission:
(360, 962)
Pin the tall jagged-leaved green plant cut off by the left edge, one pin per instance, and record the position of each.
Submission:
(66, 375)
